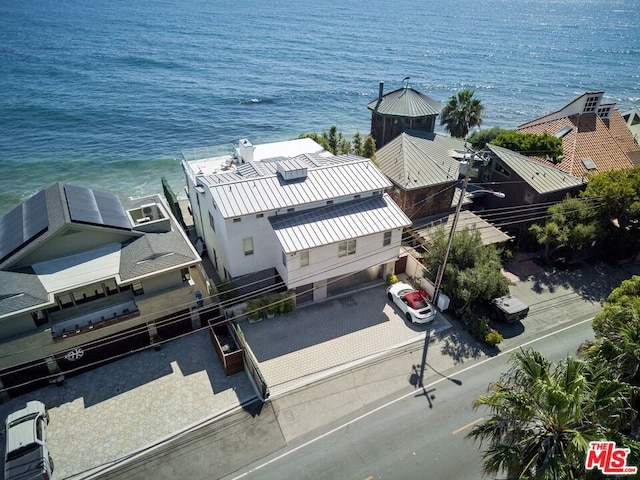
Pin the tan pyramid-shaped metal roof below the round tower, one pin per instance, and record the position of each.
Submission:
(419, 159)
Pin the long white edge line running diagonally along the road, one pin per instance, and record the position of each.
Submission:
(400, 398)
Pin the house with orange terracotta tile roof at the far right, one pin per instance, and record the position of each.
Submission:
(595, 136)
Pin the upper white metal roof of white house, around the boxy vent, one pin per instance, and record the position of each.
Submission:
(235, 195)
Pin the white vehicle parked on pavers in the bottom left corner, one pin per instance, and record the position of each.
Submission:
(26, 454)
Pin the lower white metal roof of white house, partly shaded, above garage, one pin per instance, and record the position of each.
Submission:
(338, 222)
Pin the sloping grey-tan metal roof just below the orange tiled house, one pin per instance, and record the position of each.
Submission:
(542, 178)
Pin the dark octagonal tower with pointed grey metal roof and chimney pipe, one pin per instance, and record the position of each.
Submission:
(402, 109)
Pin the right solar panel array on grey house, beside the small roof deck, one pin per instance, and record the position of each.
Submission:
(96, 208)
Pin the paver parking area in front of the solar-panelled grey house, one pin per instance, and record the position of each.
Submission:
(106, 413)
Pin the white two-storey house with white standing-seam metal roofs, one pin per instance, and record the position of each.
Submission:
(317, 222)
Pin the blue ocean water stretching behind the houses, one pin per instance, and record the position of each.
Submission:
(107, 94)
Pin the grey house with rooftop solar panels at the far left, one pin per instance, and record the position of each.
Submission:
(78, 266)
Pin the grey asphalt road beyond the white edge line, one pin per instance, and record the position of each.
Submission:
(420, 434)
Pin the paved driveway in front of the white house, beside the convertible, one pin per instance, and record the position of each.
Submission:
(322, 338)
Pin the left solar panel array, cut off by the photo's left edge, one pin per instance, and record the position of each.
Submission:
(23, 224)
